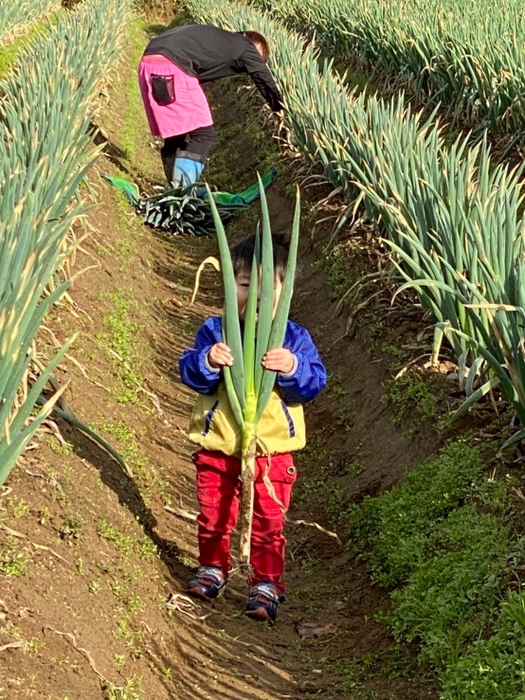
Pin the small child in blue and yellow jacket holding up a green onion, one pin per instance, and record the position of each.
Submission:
(300, 377)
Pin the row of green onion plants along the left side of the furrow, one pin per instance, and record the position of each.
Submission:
(45, 152)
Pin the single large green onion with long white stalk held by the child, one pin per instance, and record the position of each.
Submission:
(247, 382)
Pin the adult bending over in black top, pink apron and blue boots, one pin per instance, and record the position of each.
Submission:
(170, 75)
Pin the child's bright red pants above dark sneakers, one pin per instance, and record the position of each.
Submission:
(218, 491)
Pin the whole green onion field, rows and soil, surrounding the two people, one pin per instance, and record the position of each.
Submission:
(404, 135)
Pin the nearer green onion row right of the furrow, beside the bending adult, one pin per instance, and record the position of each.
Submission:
(453, 219)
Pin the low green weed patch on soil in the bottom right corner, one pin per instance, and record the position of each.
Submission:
(444, 541)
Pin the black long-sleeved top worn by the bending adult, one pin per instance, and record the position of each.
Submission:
(209, 53)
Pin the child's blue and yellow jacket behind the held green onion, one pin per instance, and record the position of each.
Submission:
(281, 428)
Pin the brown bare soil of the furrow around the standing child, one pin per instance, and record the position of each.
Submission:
(90, 554)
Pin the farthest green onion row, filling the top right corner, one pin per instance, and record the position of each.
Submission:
(465, 55)
